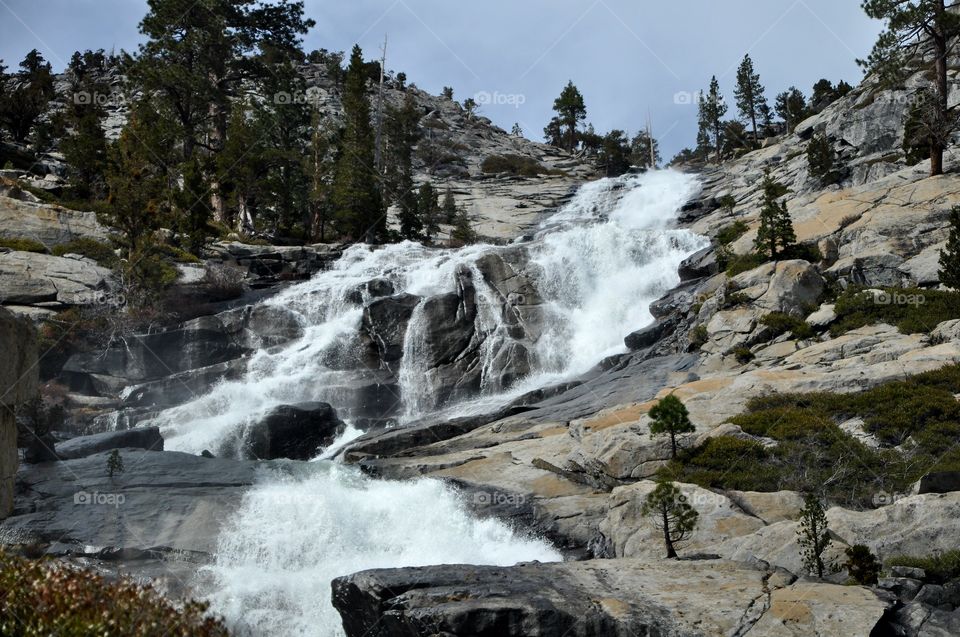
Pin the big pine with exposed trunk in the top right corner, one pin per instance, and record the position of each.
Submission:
(912, 27)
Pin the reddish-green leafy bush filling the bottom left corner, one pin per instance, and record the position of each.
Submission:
(45, 598)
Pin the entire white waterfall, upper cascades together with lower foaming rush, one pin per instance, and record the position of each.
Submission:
(598, 263)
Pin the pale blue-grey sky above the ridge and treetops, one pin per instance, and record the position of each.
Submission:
(630, 58)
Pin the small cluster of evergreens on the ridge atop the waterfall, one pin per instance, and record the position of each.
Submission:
(615, 152)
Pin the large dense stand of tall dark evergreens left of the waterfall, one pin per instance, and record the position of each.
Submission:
(222, 134)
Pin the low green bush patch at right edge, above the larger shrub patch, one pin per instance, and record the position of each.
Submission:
(911, 310)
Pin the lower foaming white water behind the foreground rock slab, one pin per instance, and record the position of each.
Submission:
(295, 533)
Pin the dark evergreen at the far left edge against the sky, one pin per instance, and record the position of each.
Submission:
(33, 89)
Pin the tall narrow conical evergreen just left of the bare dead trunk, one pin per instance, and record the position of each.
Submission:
(356, 194)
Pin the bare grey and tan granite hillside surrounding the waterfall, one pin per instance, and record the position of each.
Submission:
(860, 328)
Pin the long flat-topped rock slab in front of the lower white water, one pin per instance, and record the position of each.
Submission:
(598, 598)
